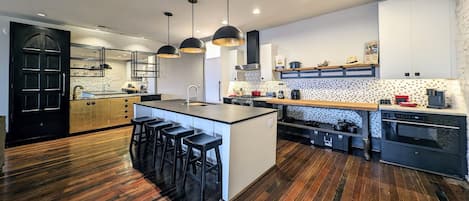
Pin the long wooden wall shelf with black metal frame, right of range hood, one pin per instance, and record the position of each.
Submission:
(343, 71)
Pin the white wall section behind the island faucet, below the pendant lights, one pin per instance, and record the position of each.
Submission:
(177, 74)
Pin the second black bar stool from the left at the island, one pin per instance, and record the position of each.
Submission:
(154, 129)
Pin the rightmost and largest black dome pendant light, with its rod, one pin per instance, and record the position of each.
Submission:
(228, 35)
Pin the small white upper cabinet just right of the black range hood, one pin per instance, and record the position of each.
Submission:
(267, 53)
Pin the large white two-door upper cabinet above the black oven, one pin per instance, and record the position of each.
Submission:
(416, 39)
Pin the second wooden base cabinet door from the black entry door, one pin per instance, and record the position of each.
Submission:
(101, 113)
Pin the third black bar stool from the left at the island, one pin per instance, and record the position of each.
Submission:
(176, 134)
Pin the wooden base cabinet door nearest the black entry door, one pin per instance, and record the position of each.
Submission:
(80, 116)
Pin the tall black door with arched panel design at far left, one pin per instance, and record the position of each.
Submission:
(39, 83)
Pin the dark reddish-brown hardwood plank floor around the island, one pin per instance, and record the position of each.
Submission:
(98, 166)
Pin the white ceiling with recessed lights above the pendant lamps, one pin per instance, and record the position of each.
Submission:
(144, 18)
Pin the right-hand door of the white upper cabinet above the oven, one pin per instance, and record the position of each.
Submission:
(431, 38)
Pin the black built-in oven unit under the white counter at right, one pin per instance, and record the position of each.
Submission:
(436, 143)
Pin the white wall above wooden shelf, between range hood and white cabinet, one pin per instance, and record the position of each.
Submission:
(332, 37)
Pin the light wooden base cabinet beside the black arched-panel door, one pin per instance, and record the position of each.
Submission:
(87, 115)
